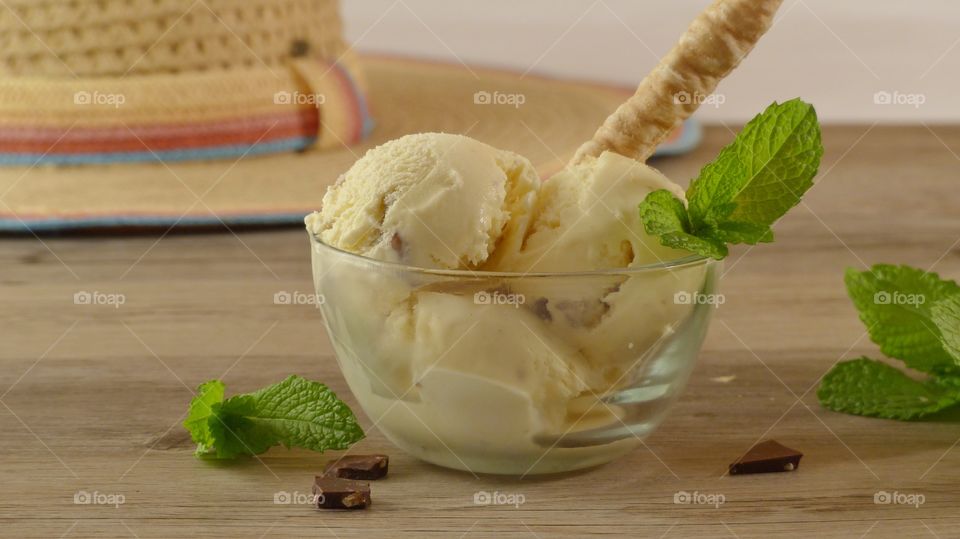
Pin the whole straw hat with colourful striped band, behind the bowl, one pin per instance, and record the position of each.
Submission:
(164, 112)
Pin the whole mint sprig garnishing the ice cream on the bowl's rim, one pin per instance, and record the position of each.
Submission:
(753, 182)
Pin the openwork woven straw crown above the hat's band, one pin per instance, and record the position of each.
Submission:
(98, 38)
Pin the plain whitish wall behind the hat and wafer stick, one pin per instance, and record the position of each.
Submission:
(834, 53)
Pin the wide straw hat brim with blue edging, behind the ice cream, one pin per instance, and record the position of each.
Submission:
(542, 119)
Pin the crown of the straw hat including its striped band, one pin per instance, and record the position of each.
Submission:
(77, 77)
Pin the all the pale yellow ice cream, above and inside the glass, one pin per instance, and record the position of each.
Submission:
(482, 361)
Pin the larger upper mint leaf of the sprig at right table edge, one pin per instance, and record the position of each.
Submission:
(895, 304)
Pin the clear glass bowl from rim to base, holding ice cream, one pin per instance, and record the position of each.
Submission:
(512, 373)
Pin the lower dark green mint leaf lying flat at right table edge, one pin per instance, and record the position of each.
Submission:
(867, 387)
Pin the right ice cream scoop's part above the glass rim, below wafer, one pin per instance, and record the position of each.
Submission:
(587, 218)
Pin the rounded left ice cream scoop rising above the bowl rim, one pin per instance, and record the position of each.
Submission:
(429, 200)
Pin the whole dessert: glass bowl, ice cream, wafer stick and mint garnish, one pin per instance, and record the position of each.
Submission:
(488, 320)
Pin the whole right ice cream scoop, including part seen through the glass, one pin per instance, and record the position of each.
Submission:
(587, 218)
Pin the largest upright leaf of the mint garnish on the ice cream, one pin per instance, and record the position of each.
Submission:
(761, 175)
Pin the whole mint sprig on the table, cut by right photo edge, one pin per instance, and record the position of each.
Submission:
(915, 317)
